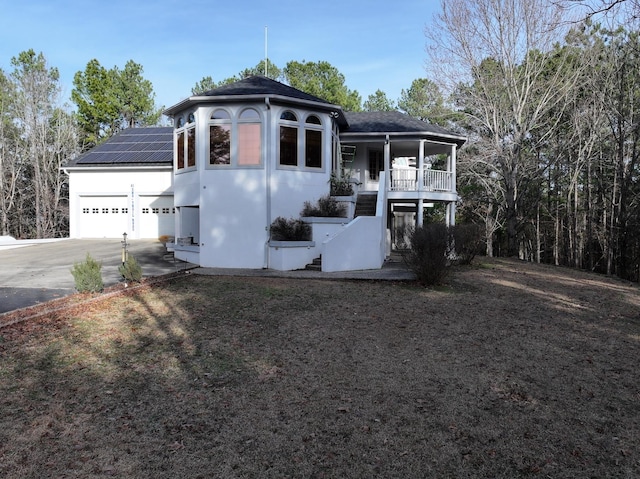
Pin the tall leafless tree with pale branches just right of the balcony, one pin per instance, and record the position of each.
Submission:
(499, 56)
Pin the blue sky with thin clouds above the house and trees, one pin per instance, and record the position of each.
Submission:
(375, 44)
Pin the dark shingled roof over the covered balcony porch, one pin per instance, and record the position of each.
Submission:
(380, 123)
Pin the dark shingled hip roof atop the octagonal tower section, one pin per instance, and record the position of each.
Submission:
(256, 88)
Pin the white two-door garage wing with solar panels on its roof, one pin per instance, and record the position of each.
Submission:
(124, 185)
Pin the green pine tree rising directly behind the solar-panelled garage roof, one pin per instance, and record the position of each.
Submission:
(110, 100)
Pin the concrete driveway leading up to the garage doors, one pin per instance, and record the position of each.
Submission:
(36, 271)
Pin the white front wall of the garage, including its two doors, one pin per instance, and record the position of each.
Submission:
(128, 188)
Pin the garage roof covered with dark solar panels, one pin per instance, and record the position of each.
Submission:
(131, 147)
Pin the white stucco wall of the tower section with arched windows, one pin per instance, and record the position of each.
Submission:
(238, 204)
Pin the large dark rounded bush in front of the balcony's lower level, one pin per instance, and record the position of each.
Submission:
(428, 252)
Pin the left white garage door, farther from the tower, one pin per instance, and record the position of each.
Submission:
(103, 216)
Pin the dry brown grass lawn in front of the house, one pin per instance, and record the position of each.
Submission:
(513, 370)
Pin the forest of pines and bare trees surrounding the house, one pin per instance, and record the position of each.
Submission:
(547, 92)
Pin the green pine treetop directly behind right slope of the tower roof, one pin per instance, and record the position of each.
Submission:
(323, 80)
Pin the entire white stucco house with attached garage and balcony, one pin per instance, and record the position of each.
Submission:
(248, 152)
